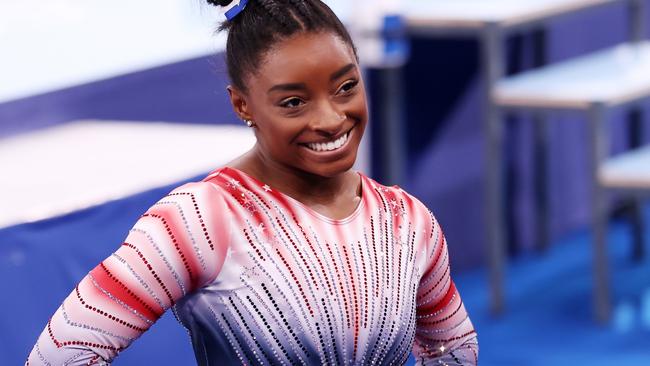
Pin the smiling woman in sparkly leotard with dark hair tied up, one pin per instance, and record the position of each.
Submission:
(285, 256)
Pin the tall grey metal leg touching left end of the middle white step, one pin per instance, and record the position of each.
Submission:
(492, 62)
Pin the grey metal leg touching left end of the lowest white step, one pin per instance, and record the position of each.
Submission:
(602, 302)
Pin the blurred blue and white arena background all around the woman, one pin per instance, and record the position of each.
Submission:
(522, 124)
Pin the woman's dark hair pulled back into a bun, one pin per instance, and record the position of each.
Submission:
(263, 23)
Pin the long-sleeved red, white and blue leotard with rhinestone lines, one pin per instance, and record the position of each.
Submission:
(258, 278)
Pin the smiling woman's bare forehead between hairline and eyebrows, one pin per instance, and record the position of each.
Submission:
(304, 56)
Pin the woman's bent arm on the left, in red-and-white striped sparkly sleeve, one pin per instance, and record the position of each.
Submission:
(173, 249)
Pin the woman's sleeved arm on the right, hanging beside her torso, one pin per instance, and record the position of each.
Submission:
(444, 333)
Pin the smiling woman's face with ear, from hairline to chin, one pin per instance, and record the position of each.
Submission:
(308, 103)
